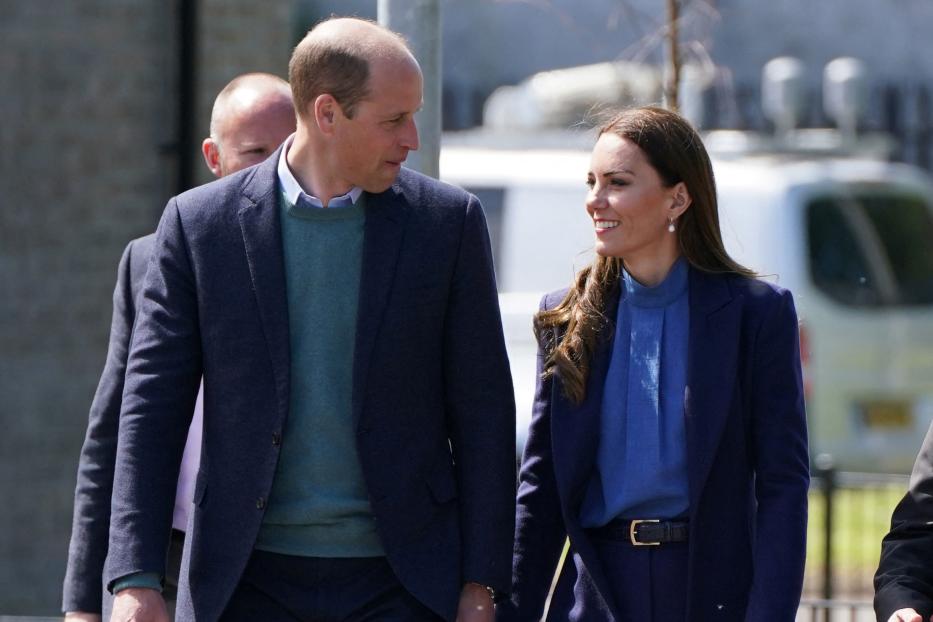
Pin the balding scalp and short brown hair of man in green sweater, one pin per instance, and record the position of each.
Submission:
(335, 58)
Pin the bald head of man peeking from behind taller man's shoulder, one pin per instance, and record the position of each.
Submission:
(251, 117)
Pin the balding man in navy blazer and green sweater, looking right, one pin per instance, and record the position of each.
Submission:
(429, 412)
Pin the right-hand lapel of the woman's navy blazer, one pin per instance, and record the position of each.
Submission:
(712, 359)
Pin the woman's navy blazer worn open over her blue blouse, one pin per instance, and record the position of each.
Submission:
(746, 455)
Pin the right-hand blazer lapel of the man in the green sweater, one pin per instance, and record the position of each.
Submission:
(386, 214)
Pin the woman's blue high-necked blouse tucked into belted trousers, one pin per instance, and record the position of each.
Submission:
(641, 465)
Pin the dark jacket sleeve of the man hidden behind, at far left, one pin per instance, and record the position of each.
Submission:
(83, 589)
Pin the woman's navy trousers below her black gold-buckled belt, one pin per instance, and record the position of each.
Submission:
(648, 583)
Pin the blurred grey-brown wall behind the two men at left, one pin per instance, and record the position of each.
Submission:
(87, 124)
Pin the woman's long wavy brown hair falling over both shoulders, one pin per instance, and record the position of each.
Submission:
(676, 152)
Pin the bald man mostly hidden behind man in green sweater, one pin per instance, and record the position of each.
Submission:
(251, 117)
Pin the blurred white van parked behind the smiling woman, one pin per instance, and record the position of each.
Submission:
(851, 237)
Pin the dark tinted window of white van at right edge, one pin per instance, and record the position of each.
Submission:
(870, 248)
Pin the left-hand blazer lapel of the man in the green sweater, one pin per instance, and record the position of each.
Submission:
(260, 224)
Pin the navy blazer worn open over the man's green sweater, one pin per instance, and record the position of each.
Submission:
(432, 400)
